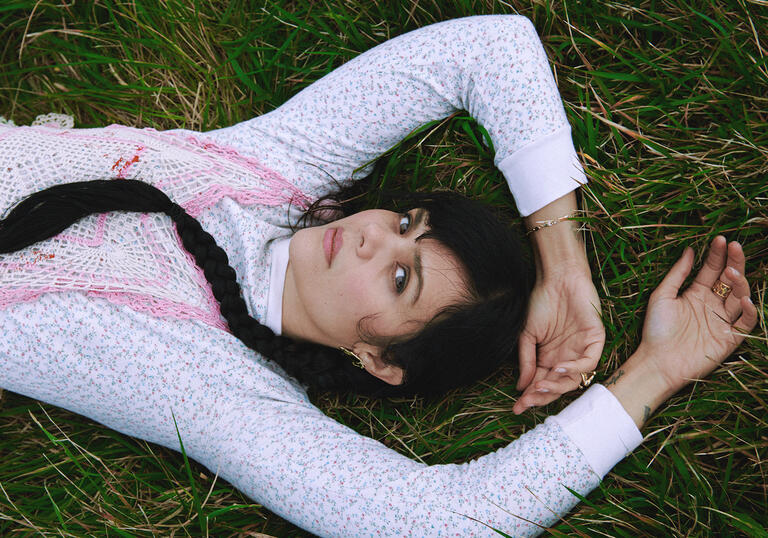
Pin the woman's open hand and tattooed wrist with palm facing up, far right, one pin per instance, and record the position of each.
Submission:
(686, 336)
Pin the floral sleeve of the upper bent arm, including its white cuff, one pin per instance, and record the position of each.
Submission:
(492, 66)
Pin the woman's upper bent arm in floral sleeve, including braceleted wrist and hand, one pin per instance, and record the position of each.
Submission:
(495, 68)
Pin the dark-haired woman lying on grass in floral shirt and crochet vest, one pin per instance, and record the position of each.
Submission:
(149, 332)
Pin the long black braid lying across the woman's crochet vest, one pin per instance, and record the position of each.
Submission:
(50, 211)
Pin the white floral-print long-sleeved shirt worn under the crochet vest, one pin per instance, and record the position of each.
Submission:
(136, 370)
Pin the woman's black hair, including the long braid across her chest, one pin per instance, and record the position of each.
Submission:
(462, 344)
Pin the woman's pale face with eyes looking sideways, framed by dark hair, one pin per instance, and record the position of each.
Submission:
(371, 266)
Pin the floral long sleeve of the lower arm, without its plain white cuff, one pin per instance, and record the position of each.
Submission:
(241, 418)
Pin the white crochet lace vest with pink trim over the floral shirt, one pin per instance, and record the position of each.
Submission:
(127, 258)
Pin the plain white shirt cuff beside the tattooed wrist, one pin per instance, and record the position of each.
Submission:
(600, 427)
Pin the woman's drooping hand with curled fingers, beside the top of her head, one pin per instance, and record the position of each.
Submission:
(563, 330)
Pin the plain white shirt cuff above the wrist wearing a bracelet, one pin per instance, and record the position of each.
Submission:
(543, 171)
